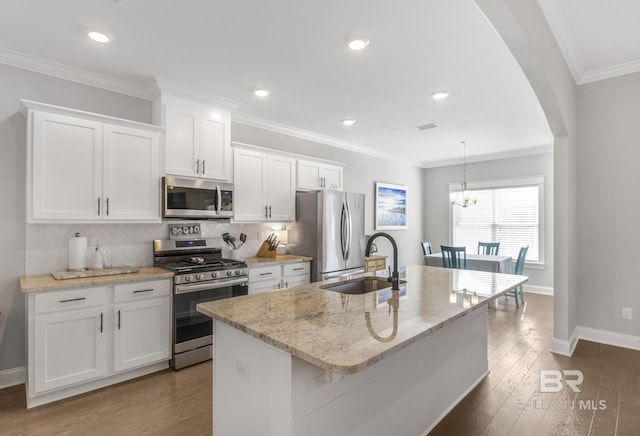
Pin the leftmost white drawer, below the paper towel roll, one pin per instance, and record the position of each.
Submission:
(71, 299)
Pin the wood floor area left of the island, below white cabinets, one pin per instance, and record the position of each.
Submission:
(164, 403)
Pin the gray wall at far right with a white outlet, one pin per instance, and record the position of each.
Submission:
(608, 207)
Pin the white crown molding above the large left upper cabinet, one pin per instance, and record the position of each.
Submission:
(66, 72)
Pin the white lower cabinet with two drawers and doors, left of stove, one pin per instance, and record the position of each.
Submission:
(85, 338)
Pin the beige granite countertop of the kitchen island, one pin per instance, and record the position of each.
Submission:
(330, 330)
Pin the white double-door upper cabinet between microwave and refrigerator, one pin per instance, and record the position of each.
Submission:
(264, 186)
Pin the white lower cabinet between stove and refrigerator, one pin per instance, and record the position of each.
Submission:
(269, 278)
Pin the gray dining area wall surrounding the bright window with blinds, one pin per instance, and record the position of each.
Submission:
(436, 185)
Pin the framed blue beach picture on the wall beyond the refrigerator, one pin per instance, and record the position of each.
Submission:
(391, 206)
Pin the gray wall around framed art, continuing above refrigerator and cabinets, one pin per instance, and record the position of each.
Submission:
(361, 173)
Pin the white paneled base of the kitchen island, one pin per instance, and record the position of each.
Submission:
(259, 389)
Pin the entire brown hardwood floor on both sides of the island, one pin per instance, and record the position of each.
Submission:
(507, 402)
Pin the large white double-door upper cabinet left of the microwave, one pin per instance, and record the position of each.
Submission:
(82, 167)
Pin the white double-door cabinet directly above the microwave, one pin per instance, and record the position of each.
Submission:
(197, 139)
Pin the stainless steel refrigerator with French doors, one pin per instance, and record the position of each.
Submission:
(330, 228)
